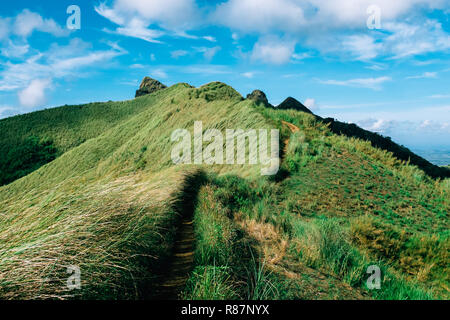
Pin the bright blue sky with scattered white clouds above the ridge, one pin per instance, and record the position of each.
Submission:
(382, 64)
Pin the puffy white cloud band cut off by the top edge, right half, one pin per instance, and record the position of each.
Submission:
(306, 15)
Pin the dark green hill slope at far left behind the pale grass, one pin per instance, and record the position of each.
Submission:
(31, 140)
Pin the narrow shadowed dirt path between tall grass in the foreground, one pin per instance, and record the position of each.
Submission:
(181, 264)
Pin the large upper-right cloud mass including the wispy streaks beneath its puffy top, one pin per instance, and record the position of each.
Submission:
(339, 26)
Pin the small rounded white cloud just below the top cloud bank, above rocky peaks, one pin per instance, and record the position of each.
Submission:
(273, 50)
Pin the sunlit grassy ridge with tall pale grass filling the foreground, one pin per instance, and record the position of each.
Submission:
(112, 203)
